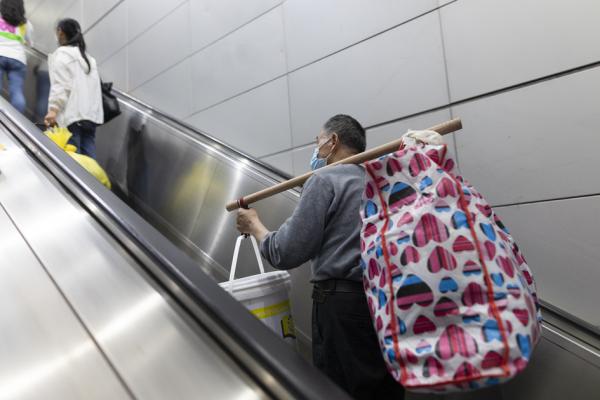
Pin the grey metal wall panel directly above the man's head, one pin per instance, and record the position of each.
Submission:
(370, 81)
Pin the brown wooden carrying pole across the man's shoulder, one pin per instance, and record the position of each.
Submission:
(443, 129)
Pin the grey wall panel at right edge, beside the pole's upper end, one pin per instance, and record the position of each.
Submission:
(534, 143)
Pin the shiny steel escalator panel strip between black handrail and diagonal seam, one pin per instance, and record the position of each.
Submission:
(151, 346)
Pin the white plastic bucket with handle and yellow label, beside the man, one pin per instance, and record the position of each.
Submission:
(265, 295)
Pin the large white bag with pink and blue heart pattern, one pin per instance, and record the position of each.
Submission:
(452, 299)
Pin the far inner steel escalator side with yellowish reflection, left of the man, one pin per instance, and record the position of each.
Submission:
(178, 183)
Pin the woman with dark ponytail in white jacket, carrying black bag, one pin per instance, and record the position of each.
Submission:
(75, 99)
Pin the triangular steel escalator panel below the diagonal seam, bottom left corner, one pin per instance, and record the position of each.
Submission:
(44, 346)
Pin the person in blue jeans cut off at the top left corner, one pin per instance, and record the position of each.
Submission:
(15, 33)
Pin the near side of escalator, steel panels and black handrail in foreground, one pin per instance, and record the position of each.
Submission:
(114, 309)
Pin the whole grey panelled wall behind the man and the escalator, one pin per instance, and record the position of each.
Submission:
(263, 75)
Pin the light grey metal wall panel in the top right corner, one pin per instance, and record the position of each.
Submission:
(492, 44)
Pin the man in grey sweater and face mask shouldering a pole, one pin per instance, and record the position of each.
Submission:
(325, 228)
